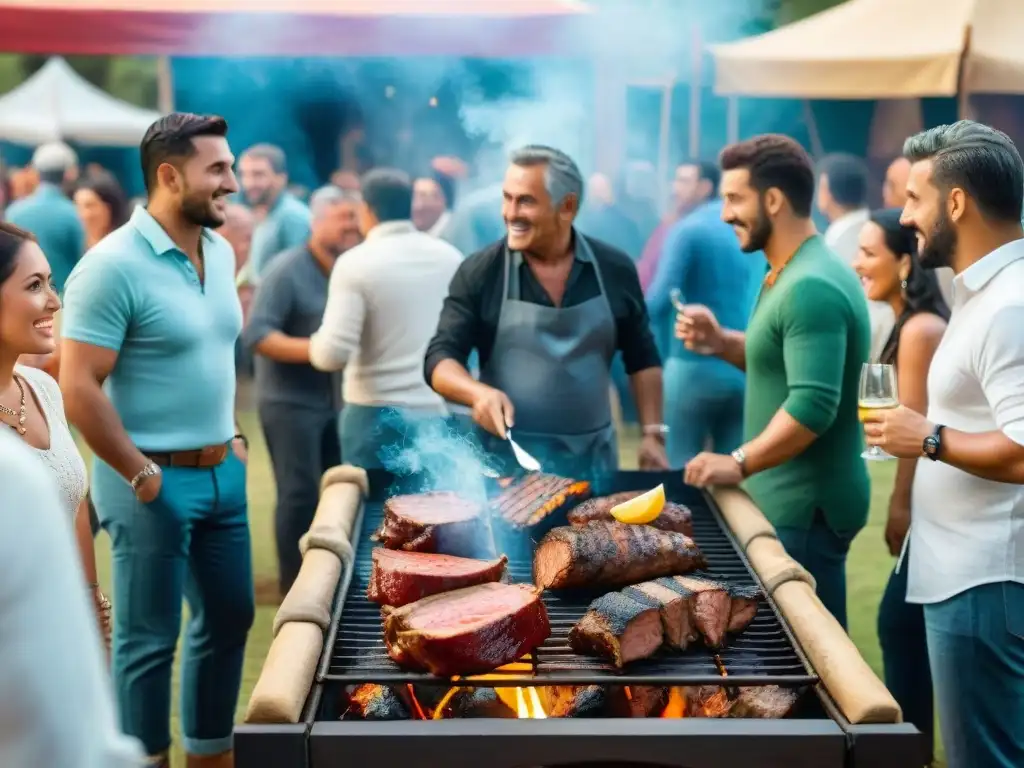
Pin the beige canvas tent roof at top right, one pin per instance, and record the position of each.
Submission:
(882, 50)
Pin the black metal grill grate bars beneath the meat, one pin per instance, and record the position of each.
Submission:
(763, 655)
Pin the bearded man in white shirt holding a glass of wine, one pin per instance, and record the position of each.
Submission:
(965, 197)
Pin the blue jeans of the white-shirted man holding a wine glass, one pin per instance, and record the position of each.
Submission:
(976, 647)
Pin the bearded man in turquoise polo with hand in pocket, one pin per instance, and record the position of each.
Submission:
(148, 376)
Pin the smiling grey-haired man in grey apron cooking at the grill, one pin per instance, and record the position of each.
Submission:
(547, 309)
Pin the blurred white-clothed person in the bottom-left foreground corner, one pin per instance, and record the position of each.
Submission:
(58, 707)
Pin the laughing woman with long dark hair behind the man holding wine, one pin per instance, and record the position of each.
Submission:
(888, 267)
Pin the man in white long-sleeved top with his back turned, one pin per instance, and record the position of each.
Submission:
(383, 304)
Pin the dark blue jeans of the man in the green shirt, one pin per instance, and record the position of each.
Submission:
(823, 551)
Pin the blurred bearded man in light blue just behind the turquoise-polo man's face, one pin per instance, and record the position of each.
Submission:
(264, 174)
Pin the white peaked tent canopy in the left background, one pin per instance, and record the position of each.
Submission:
(57, 104)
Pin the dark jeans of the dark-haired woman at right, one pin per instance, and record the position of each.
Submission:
(905, 656)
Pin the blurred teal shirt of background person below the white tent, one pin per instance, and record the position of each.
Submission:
(52, 218)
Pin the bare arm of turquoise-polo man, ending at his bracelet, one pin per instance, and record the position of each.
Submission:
(83, 371)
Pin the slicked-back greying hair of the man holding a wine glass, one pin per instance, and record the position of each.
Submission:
(978, 159)
